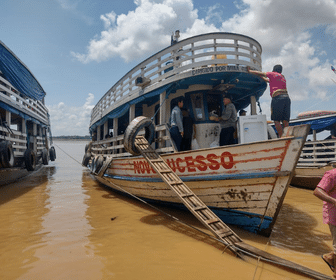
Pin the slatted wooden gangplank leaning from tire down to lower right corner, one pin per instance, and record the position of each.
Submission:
(209, 219)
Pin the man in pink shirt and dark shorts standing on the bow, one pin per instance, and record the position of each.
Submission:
(280, 105)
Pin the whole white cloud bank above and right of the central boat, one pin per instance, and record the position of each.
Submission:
(284, 28)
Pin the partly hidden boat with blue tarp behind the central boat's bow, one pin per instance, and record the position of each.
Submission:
(317, 156)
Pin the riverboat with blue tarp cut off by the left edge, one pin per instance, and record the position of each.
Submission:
(25, 134)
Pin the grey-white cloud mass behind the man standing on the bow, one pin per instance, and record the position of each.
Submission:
(285, 29)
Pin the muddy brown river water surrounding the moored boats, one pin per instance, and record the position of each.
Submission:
(62, 224)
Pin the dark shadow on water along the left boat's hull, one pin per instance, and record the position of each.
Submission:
(24, 185)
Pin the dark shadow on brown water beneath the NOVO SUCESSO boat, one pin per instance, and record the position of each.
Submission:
(294, 229)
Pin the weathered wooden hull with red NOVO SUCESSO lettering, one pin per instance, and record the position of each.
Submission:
(244, 185)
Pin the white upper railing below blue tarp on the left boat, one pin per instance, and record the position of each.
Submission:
(33, 108)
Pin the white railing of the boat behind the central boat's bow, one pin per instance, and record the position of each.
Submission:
(317, 153)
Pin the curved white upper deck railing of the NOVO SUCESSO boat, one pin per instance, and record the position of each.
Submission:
(182, 60)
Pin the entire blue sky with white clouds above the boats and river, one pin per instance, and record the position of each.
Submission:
(78, 49)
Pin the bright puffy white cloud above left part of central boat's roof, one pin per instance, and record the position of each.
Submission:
(143, 31)
